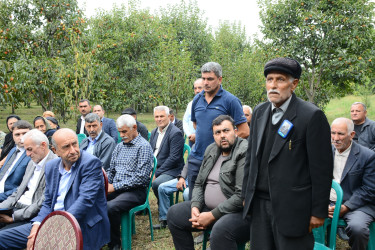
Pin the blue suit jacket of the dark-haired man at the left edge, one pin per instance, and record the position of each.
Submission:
(16, 175)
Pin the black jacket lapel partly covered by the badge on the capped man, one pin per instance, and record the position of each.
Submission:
(279, 142)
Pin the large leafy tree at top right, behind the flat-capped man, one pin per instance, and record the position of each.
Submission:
(331, 39)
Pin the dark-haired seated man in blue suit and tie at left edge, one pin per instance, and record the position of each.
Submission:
(14, 168)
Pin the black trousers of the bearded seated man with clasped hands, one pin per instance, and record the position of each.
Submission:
(225, 233)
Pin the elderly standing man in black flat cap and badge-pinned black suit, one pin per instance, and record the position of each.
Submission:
(289, 163)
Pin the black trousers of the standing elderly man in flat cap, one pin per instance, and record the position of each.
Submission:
(265, 235)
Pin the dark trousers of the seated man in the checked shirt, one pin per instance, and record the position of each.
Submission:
(119, 202)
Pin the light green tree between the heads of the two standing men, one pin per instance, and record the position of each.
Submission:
(242, 64)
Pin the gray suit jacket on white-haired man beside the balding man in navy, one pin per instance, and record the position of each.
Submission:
(28, 212)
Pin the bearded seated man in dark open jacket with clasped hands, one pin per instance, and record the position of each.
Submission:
(216, 200)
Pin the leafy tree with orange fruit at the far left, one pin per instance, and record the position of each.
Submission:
(48, 59)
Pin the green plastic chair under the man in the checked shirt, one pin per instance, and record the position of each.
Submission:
(128, 218)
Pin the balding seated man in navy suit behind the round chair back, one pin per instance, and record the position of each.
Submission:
(74, 183)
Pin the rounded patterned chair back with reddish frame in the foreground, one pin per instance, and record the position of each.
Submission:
(59, 230)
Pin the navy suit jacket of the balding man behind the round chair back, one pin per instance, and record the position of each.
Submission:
(85, 198)
